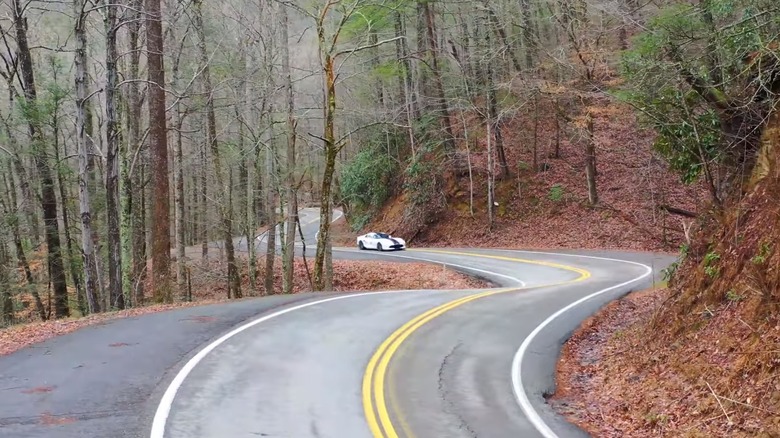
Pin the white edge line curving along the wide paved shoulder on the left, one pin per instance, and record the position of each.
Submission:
(164, 407)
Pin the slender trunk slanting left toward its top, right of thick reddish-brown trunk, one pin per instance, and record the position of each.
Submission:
(225, 207)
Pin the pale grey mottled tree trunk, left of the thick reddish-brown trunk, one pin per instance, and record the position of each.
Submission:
(87, 243)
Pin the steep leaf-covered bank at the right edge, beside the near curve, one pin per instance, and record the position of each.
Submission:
(703, 358)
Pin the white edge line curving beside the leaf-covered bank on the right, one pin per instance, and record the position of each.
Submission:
(517, 380)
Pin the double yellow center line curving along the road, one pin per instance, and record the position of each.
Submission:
(374, 400)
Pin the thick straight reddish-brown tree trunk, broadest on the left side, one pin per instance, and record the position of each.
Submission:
(161, 235)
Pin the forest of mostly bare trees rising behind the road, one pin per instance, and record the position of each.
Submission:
(136, 132)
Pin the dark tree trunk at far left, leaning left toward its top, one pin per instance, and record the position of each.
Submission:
(40, 154)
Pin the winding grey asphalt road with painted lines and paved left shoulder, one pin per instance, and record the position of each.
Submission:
(424, 364)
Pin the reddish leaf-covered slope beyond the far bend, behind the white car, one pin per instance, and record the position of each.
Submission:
(546, 207)
